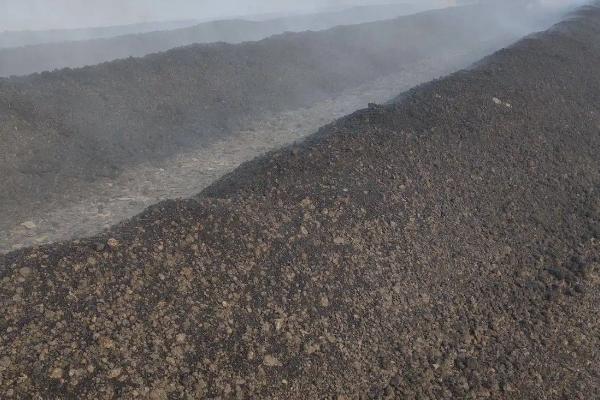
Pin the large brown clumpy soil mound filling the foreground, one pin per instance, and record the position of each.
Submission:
(444, 246)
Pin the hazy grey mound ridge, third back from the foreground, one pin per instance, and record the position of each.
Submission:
(47, 57)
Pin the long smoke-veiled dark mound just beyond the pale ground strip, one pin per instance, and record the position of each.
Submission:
(60, 129)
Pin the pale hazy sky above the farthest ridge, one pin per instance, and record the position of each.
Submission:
(50, 14)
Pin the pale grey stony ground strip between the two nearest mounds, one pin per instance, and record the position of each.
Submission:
(88, 209)
